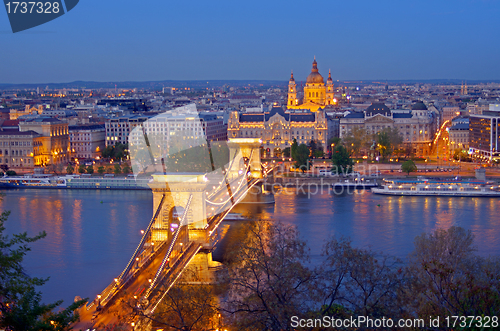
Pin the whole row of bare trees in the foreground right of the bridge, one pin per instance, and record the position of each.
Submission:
(268, 279)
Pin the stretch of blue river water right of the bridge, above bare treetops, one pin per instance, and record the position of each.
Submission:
(385, 223)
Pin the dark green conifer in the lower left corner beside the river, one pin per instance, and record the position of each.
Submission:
(20, 303)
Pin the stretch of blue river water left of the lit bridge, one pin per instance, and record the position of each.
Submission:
(90, 235)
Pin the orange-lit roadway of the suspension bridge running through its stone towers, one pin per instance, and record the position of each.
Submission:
(120, 309)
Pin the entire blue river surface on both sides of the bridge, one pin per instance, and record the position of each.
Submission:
(92, 234)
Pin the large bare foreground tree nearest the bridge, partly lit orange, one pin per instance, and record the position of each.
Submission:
(267, 280)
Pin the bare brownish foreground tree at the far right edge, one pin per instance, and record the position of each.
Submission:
(447, 278)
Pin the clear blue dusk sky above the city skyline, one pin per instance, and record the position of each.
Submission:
(111, 40)
